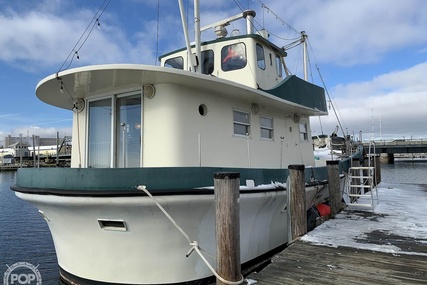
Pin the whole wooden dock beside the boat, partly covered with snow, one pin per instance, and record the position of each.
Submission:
(385, 246)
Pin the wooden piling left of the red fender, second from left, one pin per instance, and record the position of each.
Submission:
(297, 202)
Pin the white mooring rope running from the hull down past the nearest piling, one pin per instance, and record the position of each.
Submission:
(193, 244)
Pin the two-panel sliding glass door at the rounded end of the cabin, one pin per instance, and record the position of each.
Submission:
(114, 132)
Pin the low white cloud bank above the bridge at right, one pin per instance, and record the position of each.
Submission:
(392, 103)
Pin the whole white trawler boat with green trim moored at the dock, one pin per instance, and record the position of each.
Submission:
(169, 128)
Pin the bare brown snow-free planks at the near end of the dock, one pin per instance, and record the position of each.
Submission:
(306, 263)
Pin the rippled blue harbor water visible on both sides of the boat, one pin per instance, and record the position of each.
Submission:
(25, 237)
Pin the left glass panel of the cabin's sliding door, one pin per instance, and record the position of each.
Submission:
(99, 137)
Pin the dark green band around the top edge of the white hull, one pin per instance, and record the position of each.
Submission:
(127, 179)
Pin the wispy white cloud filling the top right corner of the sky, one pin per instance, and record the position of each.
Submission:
(356, 32)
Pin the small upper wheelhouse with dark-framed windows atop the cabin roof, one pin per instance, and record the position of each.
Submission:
(249, 59)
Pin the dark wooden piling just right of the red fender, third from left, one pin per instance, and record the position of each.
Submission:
(335, 196)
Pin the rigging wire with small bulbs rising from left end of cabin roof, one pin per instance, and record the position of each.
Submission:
(84, 37)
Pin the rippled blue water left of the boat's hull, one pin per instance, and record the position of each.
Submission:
(24, 234)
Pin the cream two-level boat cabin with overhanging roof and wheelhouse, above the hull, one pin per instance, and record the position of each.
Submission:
(232, 108)
